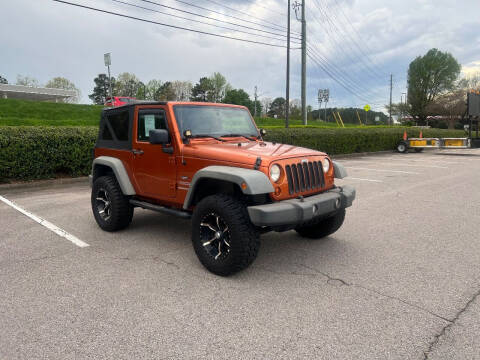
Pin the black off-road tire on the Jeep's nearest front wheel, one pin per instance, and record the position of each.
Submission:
(243, 239)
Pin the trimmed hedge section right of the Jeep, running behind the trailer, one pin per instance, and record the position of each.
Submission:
(348, 141)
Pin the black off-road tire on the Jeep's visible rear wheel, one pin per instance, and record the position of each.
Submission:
(121, 211)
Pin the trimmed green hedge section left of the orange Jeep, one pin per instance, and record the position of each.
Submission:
(28, 153)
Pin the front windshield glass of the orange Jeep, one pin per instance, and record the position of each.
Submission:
(214, 120)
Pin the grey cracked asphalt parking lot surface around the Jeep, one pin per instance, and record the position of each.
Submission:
(400, 280)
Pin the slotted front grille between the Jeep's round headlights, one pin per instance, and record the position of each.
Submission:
(305, 176)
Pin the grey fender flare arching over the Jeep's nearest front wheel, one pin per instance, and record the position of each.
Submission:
(256, 181)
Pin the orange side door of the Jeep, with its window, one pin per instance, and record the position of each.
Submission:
(153, 165)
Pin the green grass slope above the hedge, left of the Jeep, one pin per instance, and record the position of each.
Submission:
(35, 113)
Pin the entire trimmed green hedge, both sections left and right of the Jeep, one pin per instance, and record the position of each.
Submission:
(28, 152)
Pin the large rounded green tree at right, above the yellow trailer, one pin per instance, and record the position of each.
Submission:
(428, 77)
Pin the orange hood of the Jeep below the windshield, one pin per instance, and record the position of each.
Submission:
(247, 152)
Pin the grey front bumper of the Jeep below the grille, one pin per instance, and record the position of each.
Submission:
(300, 210)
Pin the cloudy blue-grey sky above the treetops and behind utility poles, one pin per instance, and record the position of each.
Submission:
(354, 45)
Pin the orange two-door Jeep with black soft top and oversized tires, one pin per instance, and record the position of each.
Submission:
(209, 162)
